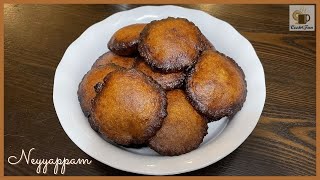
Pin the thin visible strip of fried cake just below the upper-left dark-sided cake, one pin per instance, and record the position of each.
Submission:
(110, 57)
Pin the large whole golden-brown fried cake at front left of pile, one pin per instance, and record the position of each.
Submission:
(130, 107)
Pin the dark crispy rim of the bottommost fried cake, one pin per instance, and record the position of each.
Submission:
(202, 134)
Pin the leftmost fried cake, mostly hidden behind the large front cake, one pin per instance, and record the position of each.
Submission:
(86, 91)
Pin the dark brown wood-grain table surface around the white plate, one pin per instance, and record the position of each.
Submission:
(283, 143)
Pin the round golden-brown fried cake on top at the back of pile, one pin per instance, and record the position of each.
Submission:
(171, 44)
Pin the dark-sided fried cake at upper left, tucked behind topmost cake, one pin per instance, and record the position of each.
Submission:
(125, 41)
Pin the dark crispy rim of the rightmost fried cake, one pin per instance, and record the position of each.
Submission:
(214, 116)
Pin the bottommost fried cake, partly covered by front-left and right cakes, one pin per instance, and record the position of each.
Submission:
(183, 129)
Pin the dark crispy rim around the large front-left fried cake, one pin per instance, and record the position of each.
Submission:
(157, 119)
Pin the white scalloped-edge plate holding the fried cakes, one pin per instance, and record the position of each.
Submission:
(224, 136)
